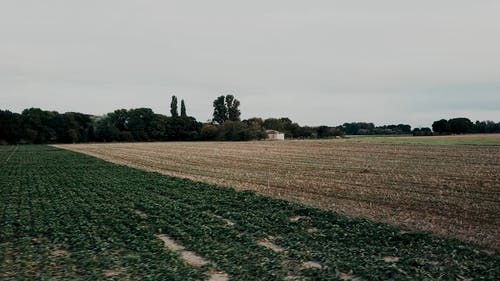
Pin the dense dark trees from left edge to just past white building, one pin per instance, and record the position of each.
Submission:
(142, 124)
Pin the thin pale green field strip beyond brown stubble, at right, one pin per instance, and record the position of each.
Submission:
(481, 139)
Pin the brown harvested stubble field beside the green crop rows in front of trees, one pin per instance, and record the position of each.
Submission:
(450, 190)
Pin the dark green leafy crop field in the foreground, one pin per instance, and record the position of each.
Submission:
(68, 216)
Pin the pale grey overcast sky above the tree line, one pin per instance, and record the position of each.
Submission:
(316, 62)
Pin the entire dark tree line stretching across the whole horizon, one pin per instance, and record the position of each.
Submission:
(39, 126)
